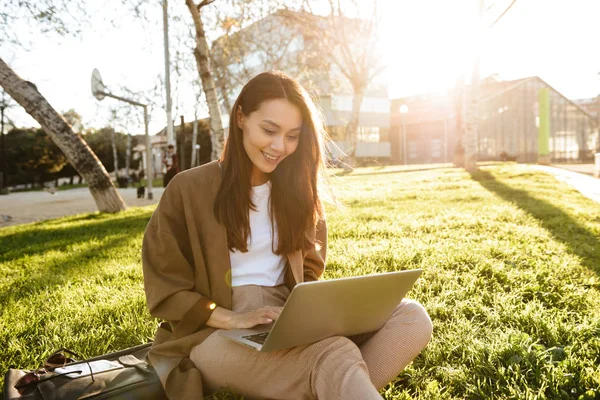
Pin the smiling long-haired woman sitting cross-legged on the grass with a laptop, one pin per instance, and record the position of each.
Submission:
(228, 242)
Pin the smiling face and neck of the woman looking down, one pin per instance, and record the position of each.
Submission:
(270, 134)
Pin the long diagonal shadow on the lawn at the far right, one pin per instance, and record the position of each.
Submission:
(578, 239)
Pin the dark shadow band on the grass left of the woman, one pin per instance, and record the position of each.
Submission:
(103, 237)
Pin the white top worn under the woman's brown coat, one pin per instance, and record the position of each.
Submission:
(259, 266)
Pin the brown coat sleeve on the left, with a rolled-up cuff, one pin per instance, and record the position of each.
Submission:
(169, 277)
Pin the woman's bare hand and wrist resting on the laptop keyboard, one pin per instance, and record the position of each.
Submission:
(221, 318)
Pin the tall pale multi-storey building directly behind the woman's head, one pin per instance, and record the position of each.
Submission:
(289, 47)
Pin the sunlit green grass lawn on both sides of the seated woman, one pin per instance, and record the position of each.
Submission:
(512, 279)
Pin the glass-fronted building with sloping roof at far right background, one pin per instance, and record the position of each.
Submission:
(509, 122)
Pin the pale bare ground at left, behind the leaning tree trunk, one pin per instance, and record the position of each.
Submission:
(24, 207)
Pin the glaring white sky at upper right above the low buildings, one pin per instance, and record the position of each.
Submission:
(556, 40)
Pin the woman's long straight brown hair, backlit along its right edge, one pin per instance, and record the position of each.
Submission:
(295, 206)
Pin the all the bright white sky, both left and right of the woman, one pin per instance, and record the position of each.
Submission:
(427, 44)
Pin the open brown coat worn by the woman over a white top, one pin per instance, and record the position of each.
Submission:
(186, 268)
